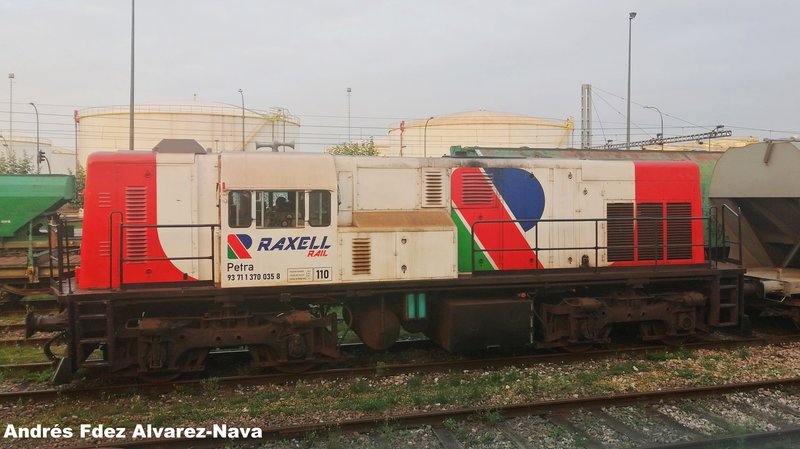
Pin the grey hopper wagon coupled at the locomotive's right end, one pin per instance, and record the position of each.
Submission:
(757, 189)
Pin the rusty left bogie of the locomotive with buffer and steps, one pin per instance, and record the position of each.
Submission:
(168, 340)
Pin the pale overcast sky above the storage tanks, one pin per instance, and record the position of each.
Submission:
(703, 63)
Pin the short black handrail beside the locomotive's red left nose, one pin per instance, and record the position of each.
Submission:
(123, 260)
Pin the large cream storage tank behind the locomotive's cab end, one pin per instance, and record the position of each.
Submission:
(215, 126)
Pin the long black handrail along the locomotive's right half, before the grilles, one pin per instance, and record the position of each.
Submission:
(659, 256)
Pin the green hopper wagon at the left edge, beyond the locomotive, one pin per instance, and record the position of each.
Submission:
(26, 204)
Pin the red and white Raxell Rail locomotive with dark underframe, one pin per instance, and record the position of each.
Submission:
(186, 252)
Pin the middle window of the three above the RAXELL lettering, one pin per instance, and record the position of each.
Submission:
(280, 209)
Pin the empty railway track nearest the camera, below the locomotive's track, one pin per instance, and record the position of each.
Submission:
(681, 418)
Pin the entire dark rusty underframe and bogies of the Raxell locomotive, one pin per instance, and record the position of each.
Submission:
(157, 337)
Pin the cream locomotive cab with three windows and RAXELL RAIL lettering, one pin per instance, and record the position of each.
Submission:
(278, 220)
